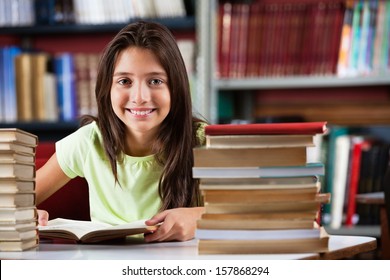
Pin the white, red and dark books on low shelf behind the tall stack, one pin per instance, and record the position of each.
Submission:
(356, 163)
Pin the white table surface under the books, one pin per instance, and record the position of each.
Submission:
(339, 247)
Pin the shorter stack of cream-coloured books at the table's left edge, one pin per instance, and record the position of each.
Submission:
(18, 214)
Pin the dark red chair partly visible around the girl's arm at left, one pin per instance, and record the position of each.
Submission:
(71, 201)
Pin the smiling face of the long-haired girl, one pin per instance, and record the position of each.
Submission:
(139, 93)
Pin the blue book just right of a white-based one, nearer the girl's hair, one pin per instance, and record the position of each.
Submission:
(66, 88)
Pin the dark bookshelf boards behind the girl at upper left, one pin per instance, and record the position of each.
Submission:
(77, 37)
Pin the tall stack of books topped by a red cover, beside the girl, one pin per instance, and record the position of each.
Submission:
(260, 193)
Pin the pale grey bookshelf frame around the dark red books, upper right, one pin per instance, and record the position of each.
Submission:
(243, 90)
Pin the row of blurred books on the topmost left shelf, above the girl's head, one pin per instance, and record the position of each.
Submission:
(51, 12)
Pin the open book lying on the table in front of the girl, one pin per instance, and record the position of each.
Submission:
(91, 232)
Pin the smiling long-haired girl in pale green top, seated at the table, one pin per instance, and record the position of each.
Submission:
(137, 153)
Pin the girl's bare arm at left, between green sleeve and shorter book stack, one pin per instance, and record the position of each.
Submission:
(49, 179)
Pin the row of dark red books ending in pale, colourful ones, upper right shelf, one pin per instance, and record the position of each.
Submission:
(279, 38)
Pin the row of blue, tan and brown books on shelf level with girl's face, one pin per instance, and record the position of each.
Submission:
(38, 86)
